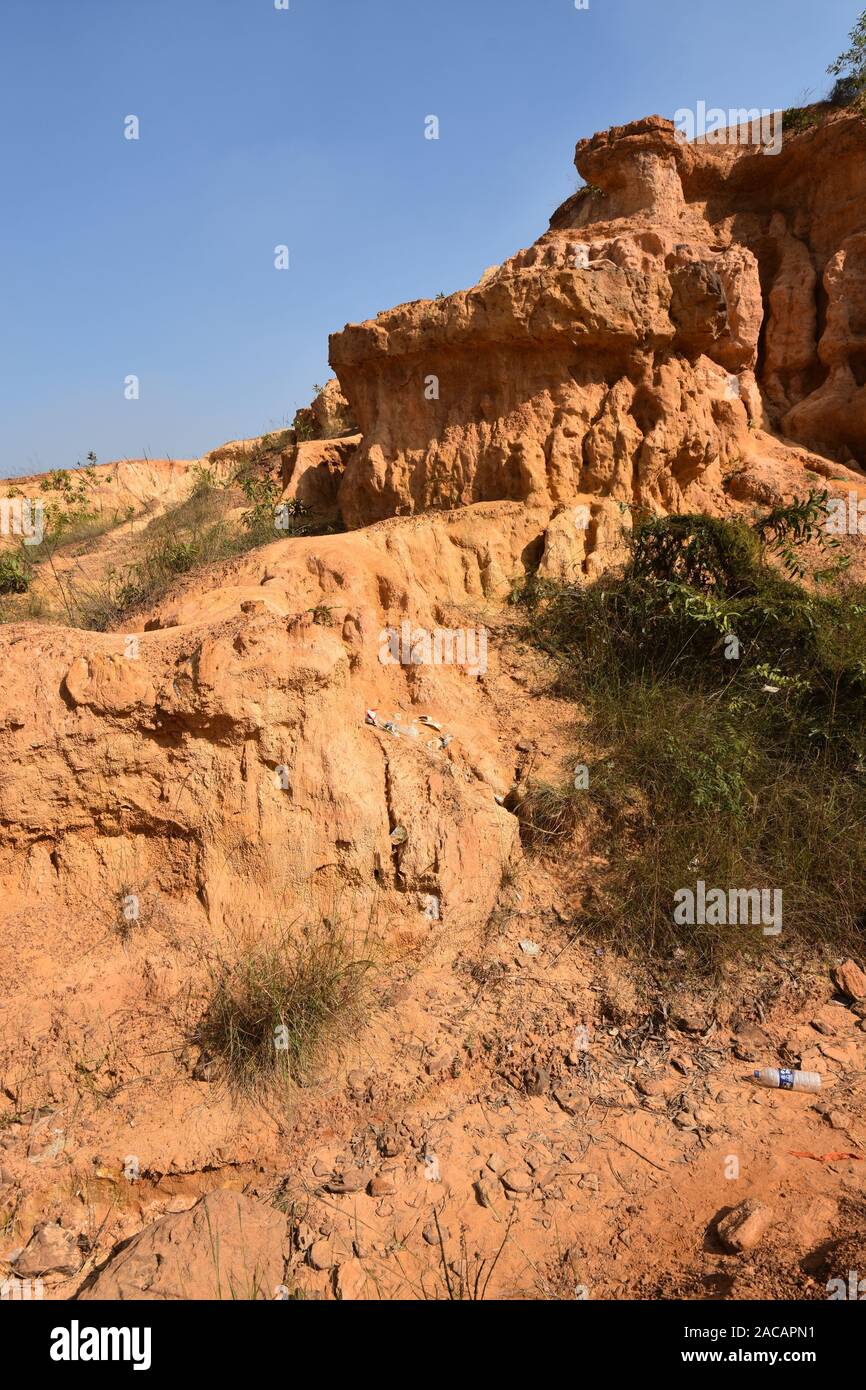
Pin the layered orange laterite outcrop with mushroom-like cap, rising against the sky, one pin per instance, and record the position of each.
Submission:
(689, 298)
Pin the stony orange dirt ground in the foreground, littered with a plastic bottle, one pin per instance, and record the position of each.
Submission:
(521, 1117)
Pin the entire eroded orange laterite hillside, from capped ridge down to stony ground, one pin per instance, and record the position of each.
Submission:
(689, 336)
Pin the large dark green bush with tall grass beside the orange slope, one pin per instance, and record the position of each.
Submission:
(728, 717)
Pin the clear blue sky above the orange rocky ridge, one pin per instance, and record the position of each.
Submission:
(304, 127)
